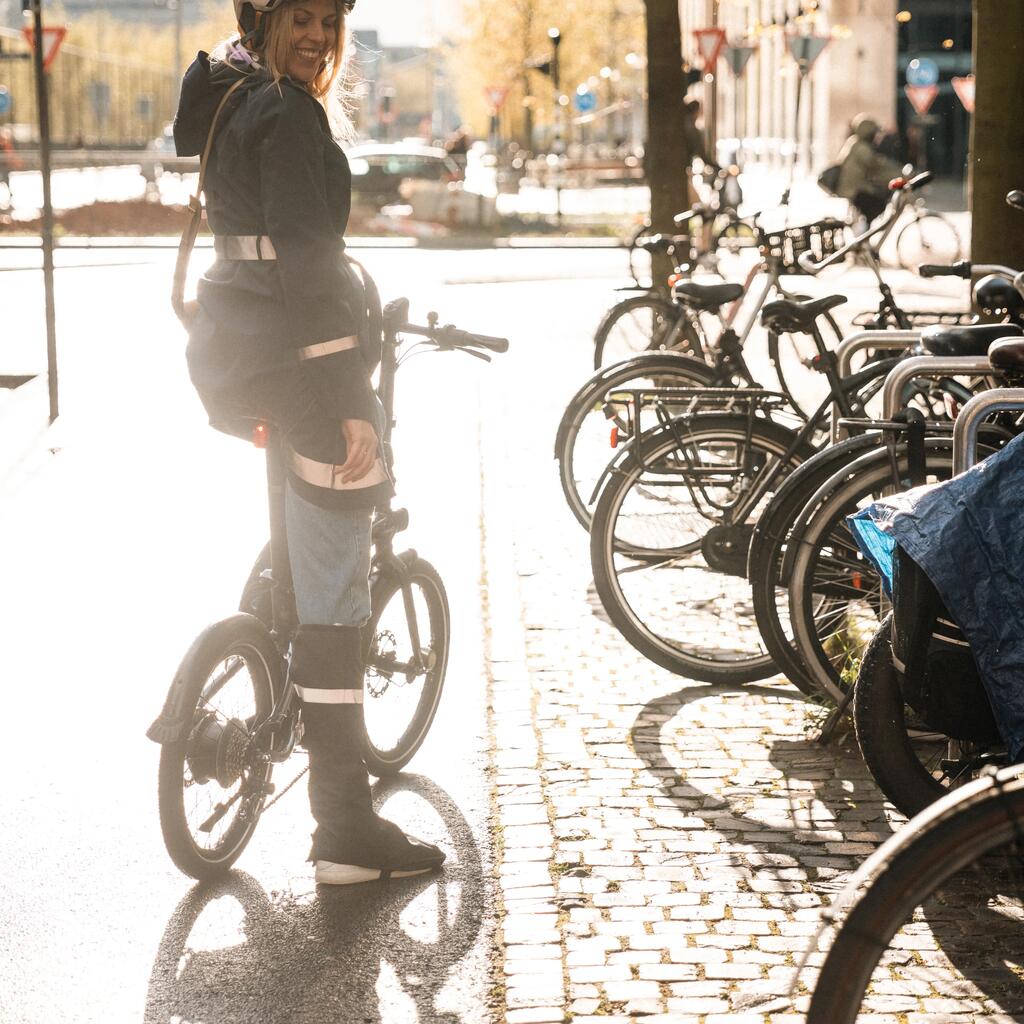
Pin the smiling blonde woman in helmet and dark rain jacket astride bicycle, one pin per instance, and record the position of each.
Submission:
(277, 336)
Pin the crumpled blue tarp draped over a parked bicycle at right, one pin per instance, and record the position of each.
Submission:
(968, 536)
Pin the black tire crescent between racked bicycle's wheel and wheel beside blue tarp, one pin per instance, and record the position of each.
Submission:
(769, 546)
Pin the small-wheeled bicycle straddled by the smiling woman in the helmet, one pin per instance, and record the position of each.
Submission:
(232, 713)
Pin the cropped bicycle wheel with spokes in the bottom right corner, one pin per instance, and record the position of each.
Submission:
(944, 914)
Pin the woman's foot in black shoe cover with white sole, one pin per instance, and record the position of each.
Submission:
(381, 851)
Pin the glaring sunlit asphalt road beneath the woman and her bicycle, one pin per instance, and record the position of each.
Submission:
(130, 530)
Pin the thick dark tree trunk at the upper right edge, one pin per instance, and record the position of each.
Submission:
(998, 133)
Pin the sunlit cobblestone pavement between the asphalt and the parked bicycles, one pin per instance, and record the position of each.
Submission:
(665, 846)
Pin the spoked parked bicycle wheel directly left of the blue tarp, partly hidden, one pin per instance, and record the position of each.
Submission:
(828, 562)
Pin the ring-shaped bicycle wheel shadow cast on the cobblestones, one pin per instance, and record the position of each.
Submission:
(791, 813)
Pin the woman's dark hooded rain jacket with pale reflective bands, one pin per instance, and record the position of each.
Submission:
(276, 170)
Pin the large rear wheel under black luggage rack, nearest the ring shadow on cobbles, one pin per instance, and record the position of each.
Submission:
(670, 539)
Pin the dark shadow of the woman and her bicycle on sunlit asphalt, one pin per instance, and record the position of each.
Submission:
(235, 955)
